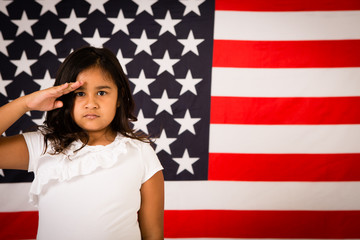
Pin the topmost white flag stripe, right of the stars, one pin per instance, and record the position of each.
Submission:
(302, 25)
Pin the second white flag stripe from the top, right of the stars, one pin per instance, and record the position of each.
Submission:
(294, 82)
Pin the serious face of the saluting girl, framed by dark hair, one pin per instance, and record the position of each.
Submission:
(95, 102)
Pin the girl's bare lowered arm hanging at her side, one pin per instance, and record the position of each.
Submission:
(151, 214)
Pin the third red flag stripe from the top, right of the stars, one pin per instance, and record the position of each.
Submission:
(309, 110)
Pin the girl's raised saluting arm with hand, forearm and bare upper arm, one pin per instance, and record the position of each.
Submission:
(13, 150)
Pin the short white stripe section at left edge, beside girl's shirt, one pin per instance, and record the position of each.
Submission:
(14, 197)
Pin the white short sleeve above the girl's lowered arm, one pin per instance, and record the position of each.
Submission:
(151, 162)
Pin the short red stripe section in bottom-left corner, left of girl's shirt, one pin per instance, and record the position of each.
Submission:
(18, 225)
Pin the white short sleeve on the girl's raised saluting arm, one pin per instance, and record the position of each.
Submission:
(36, 146)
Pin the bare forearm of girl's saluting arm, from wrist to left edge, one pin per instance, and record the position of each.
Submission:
(11, 112)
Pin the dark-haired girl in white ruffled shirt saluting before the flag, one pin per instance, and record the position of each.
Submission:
(95, 178)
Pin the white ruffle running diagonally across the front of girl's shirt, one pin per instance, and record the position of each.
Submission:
(72, 163)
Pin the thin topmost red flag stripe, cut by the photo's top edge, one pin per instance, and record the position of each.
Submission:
(286, 5)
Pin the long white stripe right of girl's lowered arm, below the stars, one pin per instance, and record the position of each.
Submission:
(217, 195)
